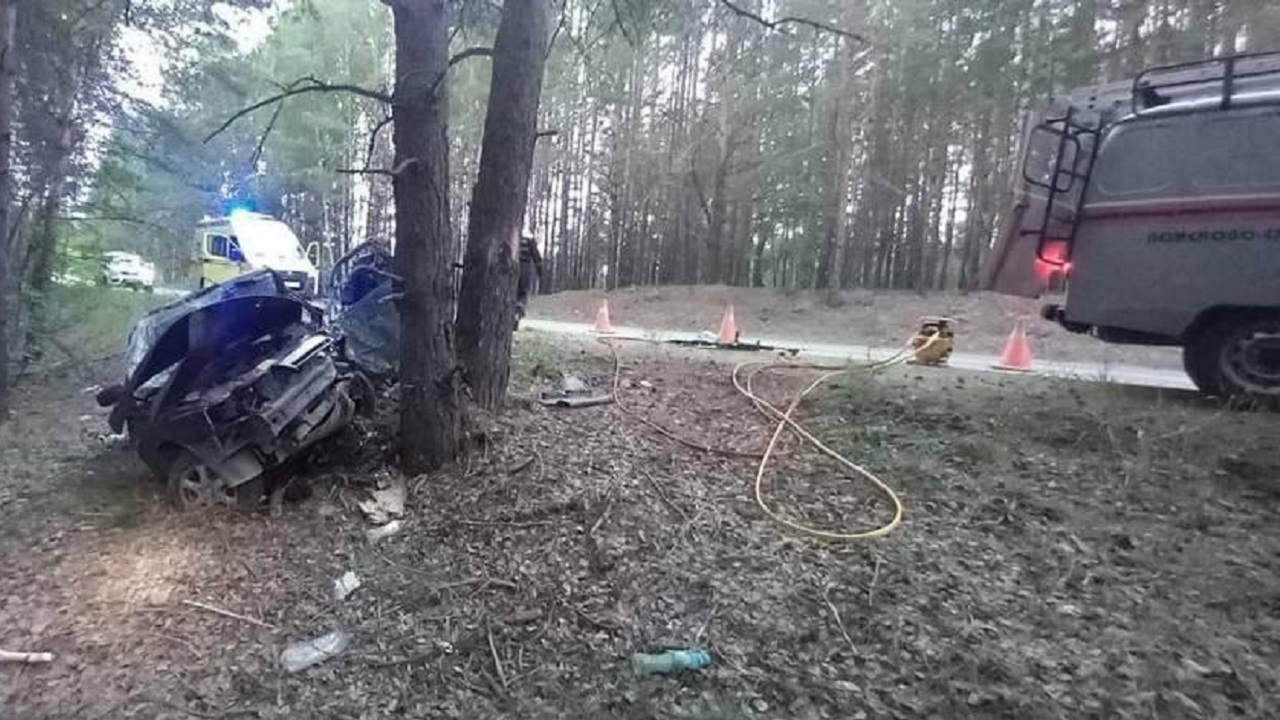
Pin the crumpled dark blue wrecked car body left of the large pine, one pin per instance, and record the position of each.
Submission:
(230, 382)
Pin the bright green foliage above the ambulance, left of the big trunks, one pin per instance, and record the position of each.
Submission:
(159, 176)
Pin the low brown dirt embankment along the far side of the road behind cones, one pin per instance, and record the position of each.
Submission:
(876, 318)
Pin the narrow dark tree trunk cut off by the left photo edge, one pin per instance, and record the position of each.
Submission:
(8, 65)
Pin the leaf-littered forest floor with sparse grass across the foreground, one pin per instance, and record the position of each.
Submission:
(1054, 563)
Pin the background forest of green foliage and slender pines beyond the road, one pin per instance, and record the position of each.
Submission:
(692, 143)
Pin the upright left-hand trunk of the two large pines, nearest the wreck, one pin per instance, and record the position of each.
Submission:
(429, 389)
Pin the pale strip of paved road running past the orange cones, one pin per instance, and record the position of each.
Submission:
(1094, 372)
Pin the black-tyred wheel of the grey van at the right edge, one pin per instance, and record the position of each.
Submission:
(1242, 357)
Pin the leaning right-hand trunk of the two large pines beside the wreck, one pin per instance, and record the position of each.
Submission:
(487, 303)
